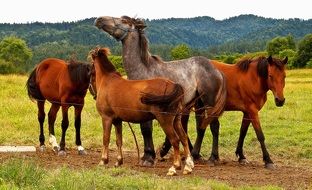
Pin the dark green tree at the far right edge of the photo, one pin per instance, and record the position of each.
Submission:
(304, 53)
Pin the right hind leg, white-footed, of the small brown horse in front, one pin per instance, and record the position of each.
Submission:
(189, 164)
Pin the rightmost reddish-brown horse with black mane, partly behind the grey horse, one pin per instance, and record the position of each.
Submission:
(248, 82)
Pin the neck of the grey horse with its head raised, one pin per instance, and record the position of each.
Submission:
(133, 64)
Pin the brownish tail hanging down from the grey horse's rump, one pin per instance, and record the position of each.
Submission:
(217, 110)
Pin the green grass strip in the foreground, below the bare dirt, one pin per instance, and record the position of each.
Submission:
(23, 174)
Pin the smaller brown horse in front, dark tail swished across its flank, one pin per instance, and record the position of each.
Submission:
(137, 101)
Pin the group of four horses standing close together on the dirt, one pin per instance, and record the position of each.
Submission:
(166, 91)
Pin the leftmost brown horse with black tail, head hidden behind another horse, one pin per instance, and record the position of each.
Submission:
(63, 85)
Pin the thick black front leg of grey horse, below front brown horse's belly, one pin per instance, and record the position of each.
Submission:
(148, 158)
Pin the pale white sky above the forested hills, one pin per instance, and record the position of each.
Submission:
(23, 11)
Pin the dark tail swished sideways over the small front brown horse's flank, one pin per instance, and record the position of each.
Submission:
(164, 100)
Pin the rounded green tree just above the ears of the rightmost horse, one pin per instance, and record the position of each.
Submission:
(279, 44)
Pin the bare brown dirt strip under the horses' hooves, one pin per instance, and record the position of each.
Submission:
(228, 171)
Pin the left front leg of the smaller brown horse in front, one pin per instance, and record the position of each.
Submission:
(107, 126)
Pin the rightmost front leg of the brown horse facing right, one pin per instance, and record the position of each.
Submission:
(256, 124)
